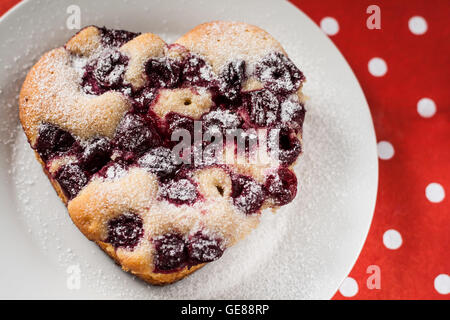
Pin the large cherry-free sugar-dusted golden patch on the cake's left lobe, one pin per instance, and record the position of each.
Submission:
(59, 100)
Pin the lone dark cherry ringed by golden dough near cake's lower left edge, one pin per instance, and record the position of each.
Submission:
(125, 231)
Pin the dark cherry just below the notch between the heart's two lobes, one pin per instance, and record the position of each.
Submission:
(162, 73)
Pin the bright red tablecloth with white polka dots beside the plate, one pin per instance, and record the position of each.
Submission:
(403, 69)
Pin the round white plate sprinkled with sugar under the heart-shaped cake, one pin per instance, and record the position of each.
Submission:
(304, 251)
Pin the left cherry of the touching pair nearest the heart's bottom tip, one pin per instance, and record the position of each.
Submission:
(171, 252)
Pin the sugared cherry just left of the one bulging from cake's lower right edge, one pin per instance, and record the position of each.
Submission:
(248, 195)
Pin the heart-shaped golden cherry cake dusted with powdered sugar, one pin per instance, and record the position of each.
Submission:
(134, 134)
